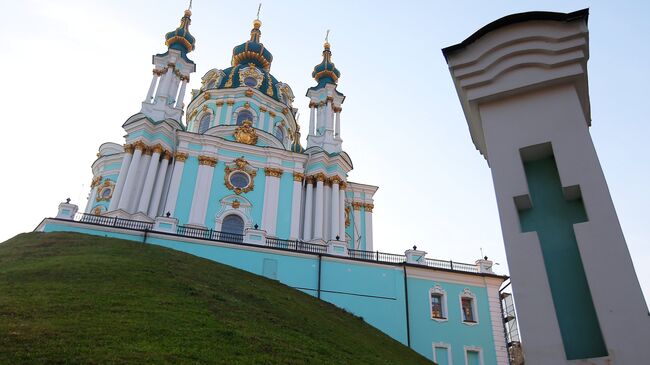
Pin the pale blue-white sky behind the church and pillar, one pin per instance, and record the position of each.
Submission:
(74, 71)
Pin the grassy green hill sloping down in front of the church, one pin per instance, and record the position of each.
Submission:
(71, 298)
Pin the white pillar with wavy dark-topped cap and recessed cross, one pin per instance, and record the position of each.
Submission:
(522, 83)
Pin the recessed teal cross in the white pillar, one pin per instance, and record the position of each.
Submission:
(553, 217)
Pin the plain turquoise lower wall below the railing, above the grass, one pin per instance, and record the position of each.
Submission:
(374, 292)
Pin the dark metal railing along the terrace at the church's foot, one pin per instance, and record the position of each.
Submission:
(277, 243)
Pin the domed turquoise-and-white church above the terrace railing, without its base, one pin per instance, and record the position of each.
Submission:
(237, 163)
